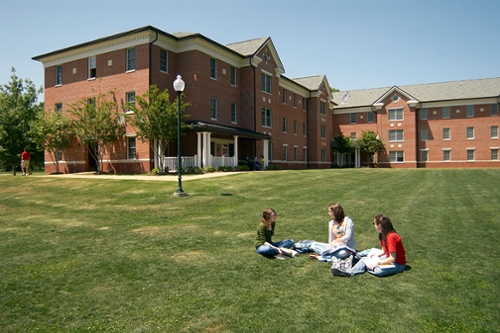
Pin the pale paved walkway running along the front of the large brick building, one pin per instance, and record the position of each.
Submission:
(165, 178)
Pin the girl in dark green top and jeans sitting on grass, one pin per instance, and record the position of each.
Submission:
(265, 231)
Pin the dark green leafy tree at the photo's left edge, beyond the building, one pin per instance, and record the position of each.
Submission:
(18, 108)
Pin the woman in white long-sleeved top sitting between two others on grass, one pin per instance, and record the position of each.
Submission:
(340, 234)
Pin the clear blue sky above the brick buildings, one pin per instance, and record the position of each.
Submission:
(357, 44)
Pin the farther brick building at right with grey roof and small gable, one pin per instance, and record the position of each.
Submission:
(449, 124)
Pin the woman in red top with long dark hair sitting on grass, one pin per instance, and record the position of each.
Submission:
(389, 260)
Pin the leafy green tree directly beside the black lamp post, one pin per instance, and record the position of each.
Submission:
(155, 119)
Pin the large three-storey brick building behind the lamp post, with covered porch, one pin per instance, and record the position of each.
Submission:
(240, 101)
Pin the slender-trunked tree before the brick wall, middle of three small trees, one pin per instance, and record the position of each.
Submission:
(96, 124)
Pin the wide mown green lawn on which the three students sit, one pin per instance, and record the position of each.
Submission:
(80, 255)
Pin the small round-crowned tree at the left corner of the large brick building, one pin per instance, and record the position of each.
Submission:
(52, 131)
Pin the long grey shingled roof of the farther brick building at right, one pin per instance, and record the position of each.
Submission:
(431, 92)
